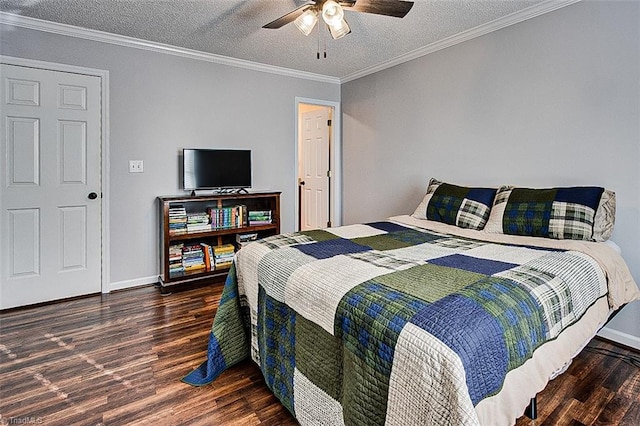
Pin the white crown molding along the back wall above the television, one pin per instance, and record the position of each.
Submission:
(120, 40)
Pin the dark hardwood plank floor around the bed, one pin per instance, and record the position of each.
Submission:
(117, 359)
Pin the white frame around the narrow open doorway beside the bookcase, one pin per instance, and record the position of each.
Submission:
(335, 159)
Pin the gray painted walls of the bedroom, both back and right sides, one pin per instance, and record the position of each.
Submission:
(551, 101)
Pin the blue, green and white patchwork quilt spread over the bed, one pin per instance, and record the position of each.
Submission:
(388, 323)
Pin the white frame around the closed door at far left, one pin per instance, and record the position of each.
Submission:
(104, 146)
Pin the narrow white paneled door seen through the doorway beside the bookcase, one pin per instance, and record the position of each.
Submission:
(314, 156)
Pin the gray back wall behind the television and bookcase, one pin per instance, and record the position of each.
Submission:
(161, 103)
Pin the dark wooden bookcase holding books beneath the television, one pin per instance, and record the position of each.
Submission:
(173, 240)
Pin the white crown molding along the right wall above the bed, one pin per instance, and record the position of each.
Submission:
(480, 30)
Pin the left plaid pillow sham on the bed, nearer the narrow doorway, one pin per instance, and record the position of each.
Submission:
(456, 205)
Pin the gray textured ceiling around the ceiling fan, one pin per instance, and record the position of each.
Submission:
(232, 28)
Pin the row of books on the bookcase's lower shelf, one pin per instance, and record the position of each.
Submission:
(194, 258)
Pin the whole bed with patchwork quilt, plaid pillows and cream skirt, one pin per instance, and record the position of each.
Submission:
(458, 314)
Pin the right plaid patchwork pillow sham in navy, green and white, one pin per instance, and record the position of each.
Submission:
(559, 213)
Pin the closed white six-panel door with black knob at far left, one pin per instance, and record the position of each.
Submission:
(50, 137)
